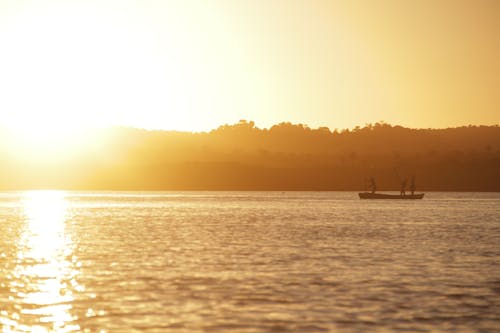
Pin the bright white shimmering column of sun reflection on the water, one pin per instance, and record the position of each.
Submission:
(44, 279)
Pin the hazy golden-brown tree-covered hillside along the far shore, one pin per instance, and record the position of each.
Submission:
(284, 157)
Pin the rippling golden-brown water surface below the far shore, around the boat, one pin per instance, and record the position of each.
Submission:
(248, 262)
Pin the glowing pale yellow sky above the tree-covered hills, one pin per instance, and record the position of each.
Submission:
(194, 65)
